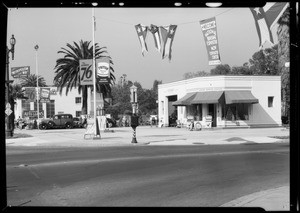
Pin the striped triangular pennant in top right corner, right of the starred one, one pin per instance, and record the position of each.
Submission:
(274, 11)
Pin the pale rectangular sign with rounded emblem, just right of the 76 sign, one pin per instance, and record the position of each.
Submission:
(103, 70)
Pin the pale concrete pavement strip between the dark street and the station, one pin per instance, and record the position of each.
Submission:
(146, 135)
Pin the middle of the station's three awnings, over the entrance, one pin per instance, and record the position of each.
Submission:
(208, 97)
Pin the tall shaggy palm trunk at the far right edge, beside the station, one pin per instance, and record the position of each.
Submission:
(283, 33)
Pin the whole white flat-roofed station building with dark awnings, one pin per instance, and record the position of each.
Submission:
(229, 101)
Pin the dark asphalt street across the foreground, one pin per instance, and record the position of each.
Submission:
(143, 175)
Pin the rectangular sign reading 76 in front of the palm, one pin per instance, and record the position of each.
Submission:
(86, 72)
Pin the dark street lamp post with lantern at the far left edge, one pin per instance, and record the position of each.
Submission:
(8, 111)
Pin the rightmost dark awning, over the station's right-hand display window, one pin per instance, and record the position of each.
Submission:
(240, 96)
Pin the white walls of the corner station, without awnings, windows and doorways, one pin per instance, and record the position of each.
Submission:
(260, 86)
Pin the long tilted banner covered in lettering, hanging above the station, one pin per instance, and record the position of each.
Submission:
(209, 30)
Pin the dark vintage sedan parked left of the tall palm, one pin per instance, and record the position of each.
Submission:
(57, 121)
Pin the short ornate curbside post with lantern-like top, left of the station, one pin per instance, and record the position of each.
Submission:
(134, 117)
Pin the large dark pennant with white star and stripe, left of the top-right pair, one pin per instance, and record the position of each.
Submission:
(262, 26)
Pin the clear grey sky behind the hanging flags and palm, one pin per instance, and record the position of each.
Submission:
(52, 28)
